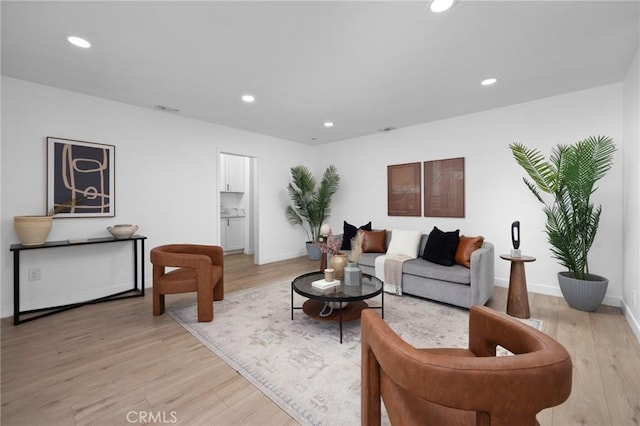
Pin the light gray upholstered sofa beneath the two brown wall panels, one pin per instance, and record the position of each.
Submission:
(455, 285)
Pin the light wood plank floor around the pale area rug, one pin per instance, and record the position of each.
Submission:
(116, 364)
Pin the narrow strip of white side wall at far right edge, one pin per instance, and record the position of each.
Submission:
(631, 209)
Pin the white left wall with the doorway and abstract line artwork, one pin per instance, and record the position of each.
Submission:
(166, 182)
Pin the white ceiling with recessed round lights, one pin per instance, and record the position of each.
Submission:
(363, 65)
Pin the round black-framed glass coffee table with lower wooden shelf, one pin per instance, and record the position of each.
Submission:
(354, 295)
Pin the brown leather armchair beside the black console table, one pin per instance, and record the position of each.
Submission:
(200, 269)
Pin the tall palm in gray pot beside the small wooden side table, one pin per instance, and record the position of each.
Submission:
(569, 177)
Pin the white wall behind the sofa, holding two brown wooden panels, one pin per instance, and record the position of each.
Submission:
(495, 195)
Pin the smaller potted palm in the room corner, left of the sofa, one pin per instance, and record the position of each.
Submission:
(311, 204)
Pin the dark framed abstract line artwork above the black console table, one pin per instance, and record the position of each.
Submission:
(80, 178)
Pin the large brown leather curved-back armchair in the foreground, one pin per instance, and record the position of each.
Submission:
(463, 386)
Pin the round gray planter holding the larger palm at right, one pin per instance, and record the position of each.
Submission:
(584, 295)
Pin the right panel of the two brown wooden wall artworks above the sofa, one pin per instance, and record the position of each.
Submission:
(444, 188)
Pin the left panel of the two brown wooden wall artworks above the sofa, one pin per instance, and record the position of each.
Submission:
(404, 191)
